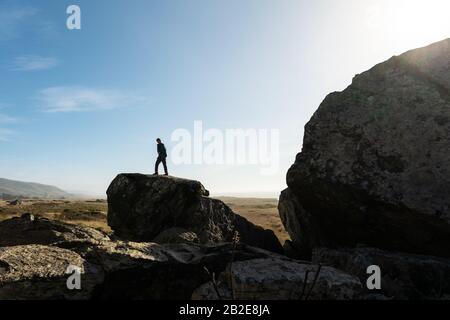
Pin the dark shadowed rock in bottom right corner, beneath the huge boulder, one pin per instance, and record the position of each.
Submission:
(403, 276)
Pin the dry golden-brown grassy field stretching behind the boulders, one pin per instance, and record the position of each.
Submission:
(93, 213)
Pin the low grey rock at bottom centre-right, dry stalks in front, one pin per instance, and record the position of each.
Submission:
(279, 279)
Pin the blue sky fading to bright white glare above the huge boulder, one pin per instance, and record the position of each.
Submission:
(78, 107)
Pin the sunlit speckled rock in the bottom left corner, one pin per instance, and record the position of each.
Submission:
(36, 272)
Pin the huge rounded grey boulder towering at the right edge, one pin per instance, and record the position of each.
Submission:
(375, 166)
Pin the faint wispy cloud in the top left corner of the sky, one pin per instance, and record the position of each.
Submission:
(12, 19)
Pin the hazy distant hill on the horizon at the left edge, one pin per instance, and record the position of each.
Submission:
(14, 189)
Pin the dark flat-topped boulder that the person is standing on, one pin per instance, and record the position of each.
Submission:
(141, 207)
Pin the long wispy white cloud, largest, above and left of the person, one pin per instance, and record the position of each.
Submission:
(81, 99)
